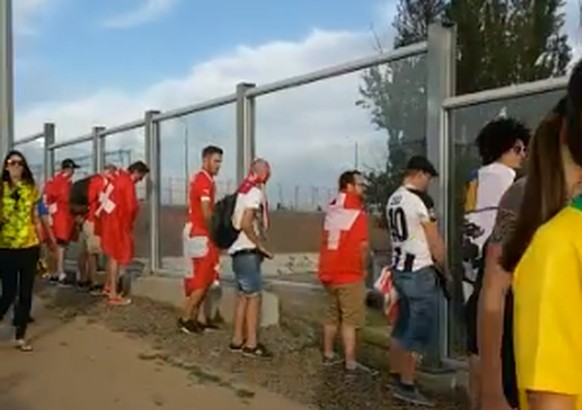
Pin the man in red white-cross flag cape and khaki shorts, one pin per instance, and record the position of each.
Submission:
(342, 267)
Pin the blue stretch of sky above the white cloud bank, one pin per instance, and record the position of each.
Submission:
(77, 46)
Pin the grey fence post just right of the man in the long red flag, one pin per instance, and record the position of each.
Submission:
(152, 145)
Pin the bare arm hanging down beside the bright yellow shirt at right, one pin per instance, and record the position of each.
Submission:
(496, 284)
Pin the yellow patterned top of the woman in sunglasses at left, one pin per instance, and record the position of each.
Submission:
(18, 206)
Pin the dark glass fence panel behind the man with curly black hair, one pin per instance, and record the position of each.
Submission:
(465, 124)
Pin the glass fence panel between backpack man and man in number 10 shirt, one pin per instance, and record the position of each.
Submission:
(372, 120)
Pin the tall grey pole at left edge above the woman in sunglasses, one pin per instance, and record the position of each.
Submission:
(6, 79)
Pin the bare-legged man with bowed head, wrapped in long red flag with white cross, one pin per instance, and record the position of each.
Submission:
(117, 211)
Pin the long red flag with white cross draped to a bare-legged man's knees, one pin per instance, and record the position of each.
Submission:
(118, 208)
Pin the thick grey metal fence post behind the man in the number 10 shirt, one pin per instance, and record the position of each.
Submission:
(440, 83)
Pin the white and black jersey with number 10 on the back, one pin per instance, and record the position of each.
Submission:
(407, 209)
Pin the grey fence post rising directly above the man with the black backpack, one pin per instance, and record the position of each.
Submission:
(245, 130)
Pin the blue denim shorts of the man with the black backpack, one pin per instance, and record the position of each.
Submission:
(246, 266)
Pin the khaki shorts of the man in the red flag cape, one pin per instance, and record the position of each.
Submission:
(346, 304)
